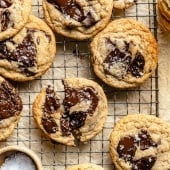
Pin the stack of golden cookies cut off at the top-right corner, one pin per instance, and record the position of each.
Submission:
(164, 14)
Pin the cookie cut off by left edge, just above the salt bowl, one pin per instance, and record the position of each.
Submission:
(10, 108)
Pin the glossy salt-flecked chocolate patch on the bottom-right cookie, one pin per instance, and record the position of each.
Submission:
(127, 147)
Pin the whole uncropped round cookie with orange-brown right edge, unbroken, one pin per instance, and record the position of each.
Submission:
(124, 54)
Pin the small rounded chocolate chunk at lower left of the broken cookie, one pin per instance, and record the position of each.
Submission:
(49, 124)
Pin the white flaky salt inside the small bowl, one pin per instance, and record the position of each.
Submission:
(18, 161)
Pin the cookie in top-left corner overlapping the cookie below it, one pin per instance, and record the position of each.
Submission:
(13, 16)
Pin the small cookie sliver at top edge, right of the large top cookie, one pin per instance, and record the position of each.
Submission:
(122, 4)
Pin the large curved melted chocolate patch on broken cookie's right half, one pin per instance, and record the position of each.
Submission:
(75, 120)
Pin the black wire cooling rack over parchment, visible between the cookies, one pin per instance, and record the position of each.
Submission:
(73, 59)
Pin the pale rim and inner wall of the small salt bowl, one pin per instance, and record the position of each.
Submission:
(9, 150)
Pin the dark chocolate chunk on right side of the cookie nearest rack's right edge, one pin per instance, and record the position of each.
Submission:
(137, 66)
